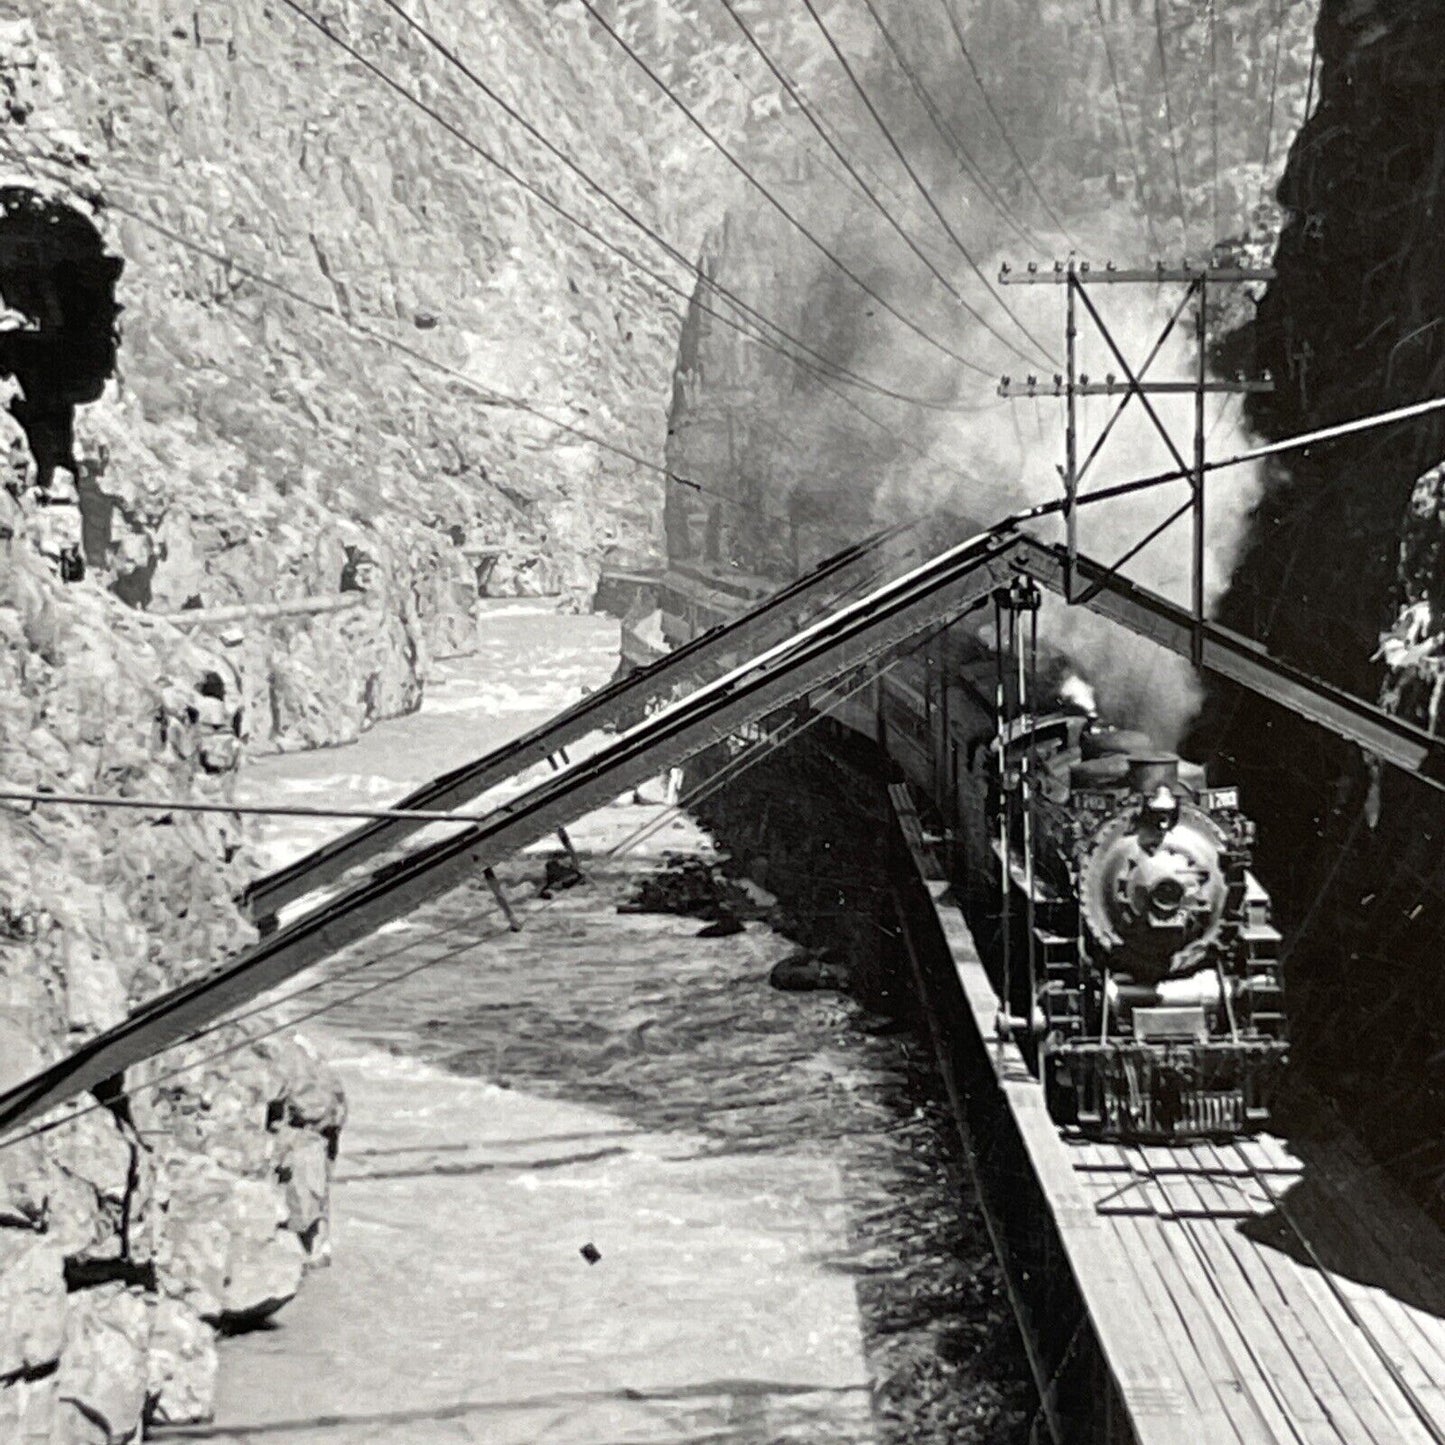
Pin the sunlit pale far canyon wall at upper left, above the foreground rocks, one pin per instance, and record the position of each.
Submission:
(255, 446)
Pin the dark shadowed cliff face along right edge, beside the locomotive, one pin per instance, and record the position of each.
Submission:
(1343, 573)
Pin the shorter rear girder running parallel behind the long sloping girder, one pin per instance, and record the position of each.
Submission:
(703, 658)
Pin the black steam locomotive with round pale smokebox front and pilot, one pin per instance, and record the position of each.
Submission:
(1134, 934)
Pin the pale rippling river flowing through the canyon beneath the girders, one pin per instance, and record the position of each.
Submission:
(600, 1183)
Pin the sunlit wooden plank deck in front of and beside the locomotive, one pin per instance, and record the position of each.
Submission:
(1252, 1293)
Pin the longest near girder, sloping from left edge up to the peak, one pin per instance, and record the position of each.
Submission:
(849, 639)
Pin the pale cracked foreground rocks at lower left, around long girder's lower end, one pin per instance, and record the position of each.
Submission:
(196, 1200)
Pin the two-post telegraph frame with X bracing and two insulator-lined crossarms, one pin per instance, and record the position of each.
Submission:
(1079, 278)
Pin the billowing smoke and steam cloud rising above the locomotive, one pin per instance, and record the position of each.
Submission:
(839, 473)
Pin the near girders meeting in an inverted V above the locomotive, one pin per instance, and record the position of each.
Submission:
(852, 638)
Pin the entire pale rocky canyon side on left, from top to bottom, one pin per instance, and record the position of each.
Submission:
(181, 436)
